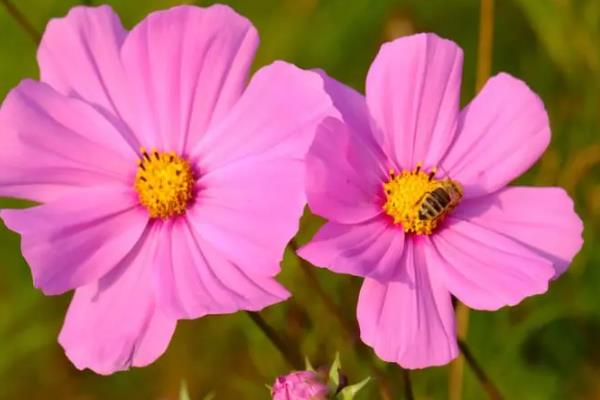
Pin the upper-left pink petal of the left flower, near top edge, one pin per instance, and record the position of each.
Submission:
(79, 56)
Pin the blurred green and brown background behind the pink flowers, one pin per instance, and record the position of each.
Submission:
(545, 348)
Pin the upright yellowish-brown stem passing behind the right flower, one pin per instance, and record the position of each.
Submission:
(484, 66)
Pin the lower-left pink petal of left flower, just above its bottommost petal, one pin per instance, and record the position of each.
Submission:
(78, 239)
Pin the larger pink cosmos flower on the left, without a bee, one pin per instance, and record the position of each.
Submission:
(168, 188)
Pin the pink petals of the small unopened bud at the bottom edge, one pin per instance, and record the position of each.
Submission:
(299, 385)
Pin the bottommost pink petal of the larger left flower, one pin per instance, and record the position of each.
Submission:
(114, 323)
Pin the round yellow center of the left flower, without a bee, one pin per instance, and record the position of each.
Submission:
(164, 183)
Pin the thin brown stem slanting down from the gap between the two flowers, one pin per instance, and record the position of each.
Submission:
(348, 328)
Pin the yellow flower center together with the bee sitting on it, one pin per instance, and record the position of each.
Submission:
(417, 201)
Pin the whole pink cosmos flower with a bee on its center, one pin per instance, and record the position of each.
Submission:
(418, 233)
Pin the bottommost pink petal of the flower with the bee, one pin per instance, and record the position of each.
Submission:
(409, 322)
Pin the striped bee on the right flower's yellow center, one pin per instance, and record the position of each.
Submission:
(439, 201)
